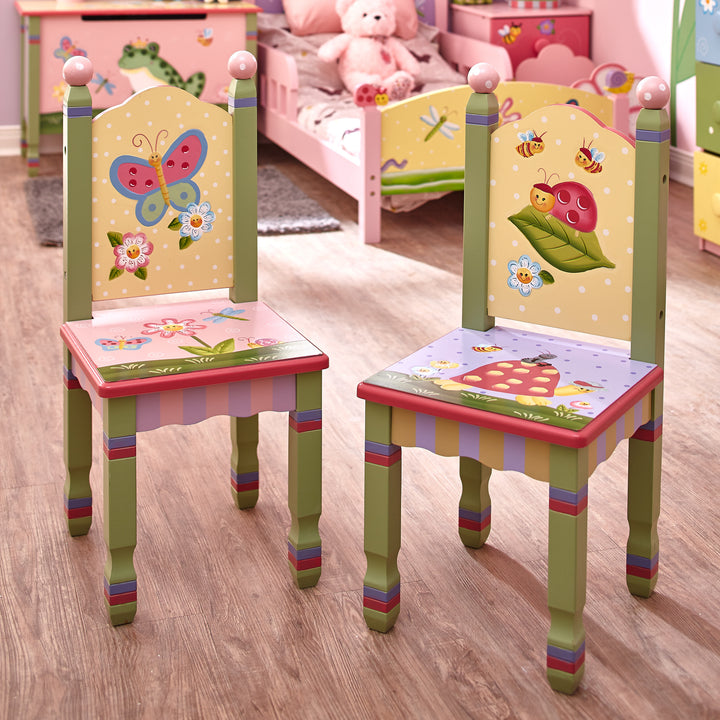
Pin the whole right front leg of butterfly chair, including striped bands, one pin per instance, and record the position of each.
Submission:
(305, 481)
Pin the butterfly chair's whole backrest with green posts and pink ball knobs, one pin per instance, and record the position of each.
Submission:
(160, 192)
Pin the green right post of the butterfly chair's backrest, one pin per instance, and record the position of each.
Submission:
(245, 287)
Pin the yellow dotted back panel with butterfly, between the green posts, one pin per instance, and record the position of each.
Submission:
(161, 196)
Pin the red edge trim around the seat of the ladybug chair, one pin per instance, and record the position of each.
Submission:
(515, 426)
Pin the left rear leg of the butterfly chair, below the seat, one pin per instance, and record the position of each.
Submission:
(78, 456)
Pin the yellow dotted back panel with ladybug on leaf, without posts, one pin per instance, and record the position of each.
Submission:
(561, 223)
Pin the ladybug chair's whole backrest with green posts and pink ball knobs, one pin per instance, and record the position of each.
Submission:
(565, 219)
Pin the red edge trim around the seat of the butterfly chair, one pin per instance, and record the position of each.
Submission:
(197, 378)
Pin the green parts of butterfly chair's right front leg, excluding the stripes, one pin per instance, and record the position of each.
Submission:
(305, 478)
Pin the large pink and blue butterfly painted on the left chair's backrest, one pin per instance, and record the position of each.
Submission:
(160, 182)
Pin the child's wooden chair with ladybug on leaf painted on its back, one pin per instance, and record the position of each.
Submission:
(587, 253)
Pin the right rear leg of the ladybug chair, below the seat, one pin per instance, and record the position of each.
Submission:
(644, 467)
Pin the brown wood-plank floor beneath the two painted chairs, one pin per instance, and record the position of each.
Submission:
(221, 631)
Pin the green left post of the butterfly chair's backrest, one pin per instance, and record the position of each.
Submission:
(77, 208)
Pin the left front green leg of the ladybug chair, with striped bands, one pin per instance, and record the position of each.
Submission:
(383, 471)
